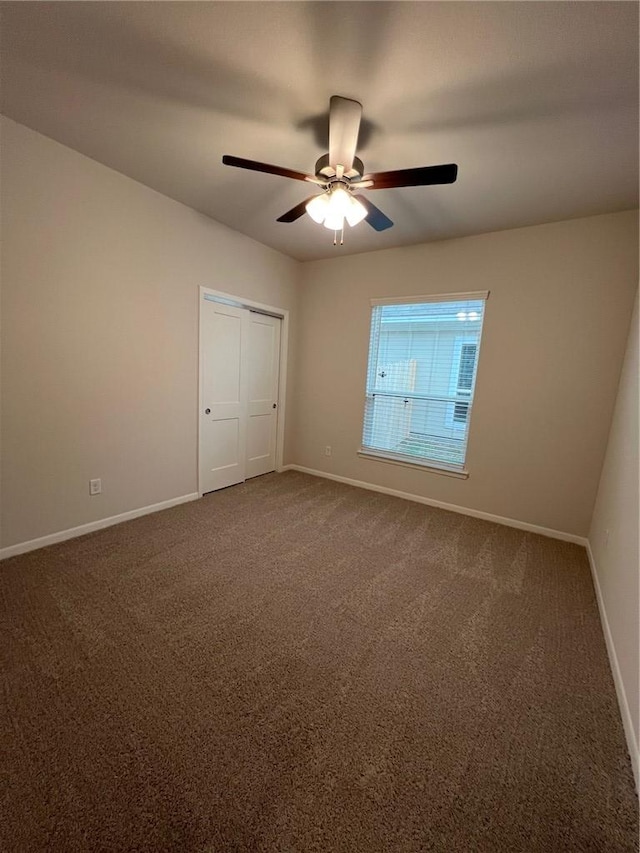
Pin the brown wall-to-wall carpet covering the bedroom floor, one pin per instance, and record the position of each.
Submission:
(298, 665)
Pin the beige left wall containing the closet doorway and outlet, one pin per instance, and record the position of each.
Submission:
(100, 281)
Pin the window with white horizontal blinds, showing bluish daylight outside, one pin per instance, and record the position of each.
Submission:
(423, 358)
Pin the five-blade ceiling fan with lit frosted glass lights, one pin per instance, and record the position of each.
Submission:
(339, 173)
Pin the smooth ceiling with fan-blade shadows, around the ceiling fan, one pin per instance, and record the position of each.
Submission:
(536, 102)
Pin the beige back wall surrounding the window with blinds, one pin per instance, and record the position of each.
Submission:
(561, 298)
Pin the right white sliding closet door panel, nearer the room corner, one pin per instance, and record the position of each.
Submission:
(263, 364)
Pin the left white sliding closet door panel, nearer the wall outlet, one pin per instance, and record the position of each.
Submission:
(223, 419)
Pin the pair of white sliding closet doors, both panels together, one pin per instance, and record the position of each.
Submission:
(240, 366)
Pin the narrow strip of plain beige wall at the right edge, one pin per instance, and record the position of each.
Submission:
(614, 538)
